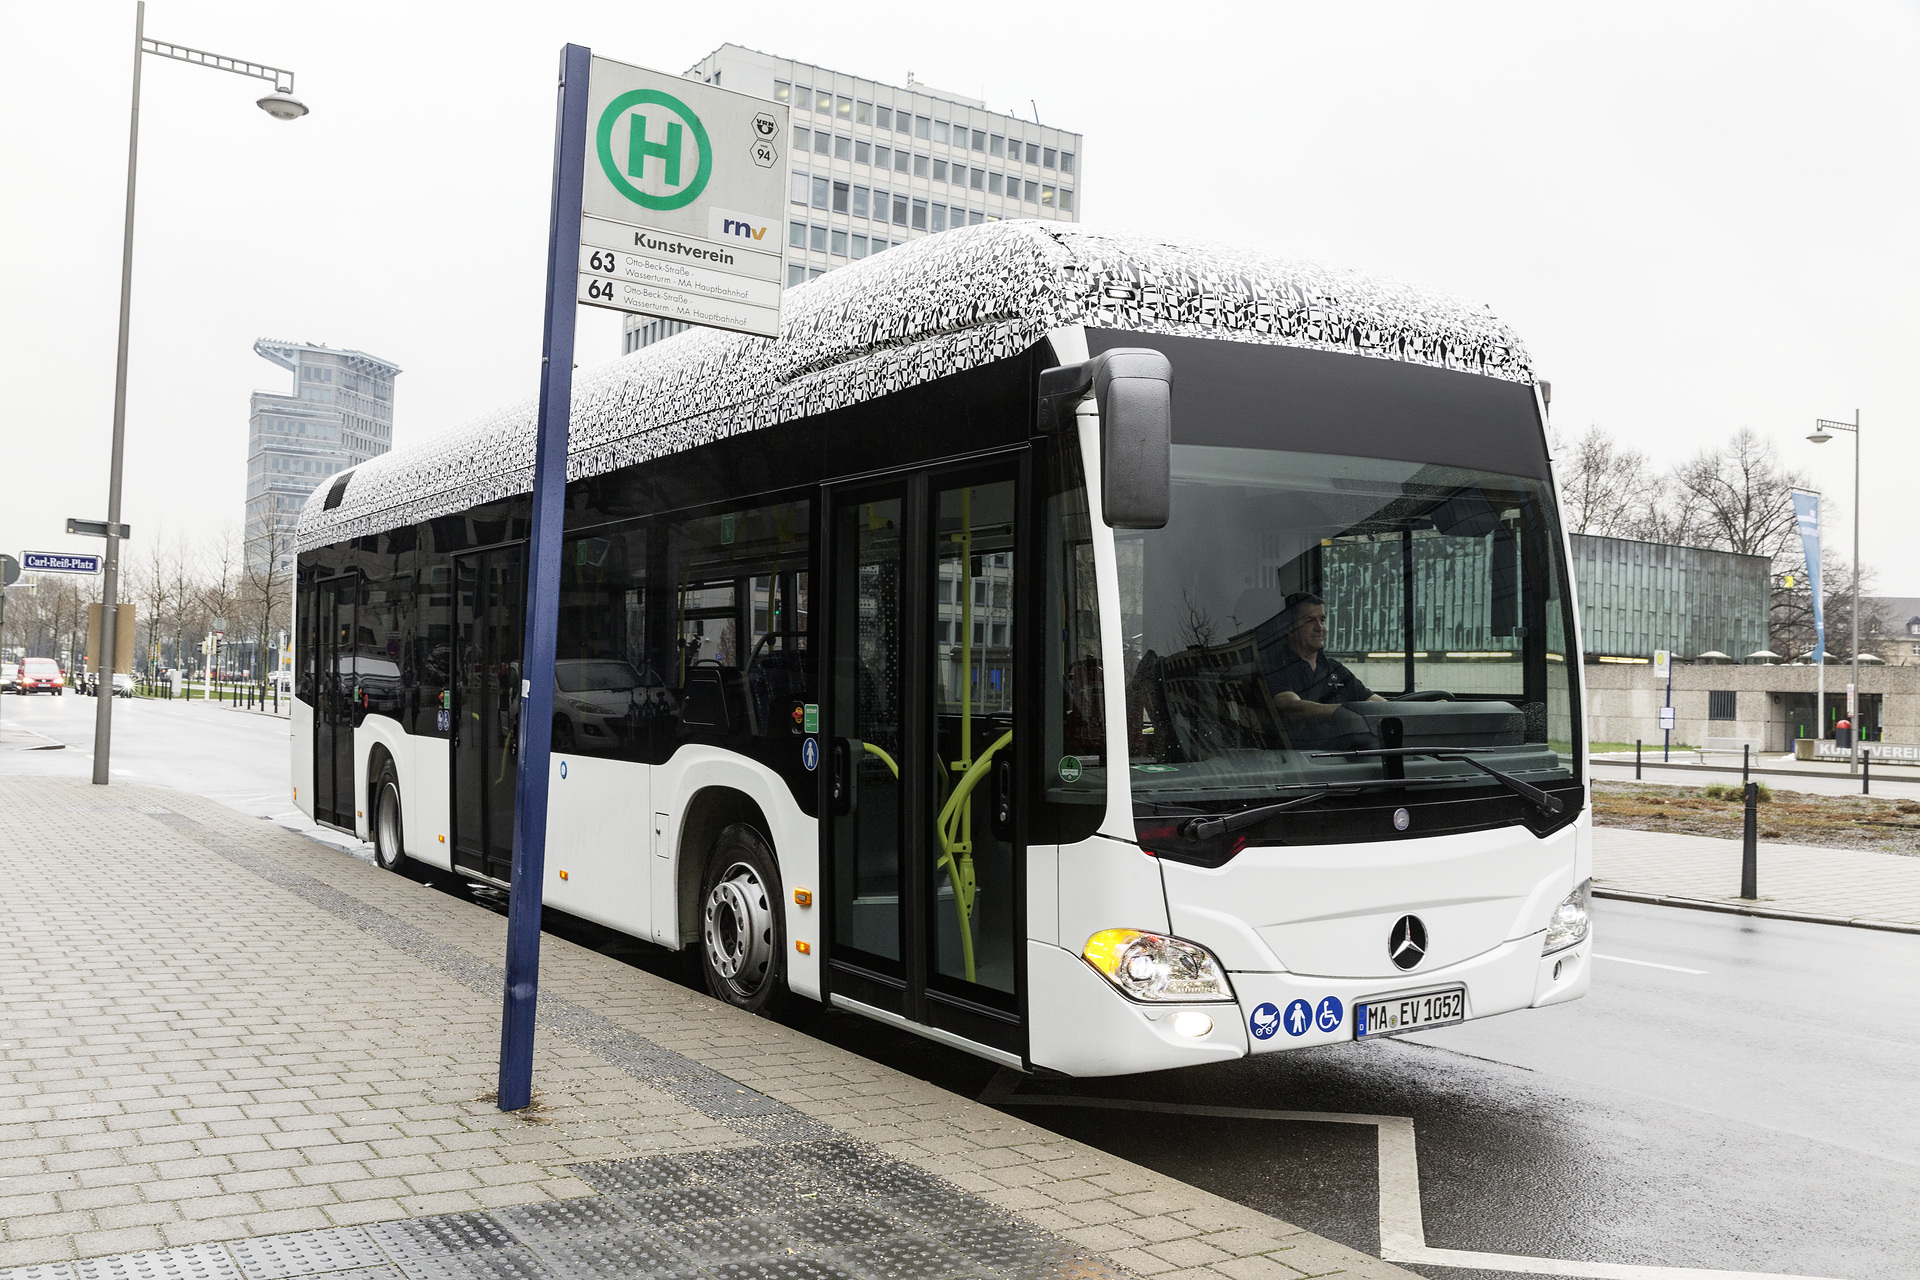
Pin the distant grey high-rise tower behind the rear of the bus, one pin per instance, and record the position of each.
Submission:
(339, 415)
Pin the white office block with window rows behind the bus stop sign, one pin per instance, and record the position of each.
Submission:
(873, 166)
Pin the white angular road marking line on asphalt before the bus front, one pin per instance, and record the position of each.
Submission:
(1403, 1229)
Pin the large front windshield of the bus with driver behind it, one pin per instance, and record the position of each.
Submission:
(1347, 625)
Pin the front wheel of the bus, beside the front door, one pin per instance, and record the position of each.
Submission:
(744, 934)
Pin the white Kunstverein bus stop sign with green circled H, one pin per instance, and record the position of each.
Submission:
(683, 201)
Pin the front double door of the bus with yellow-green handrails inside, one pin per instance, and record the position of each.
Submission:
(926, 868)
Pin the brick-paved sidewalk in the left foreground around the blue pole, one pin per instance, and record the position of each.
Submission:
(228, 1051)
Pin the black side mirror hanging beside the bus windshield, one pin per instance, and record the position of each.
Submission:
(1134, 392)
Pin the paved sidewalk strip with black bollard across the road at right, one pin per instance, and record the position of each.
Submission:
(1796, 880)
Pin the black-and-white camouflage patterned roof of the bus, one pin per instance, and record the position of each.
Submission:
(911, 316)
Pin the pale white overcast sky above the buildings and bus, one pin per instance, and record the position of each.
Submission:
(1698, 216)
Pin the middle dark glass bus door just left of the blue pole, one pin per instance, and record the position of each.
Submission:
(489, 605)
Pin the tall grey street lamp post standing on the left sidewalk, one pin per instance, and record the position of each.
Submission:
(281, 107)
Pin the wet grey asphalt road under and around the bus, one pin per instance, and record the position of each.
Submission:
(1750, 1106)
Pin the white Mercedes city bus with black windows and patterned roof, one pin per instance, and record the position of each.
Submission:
(1095, 653)
